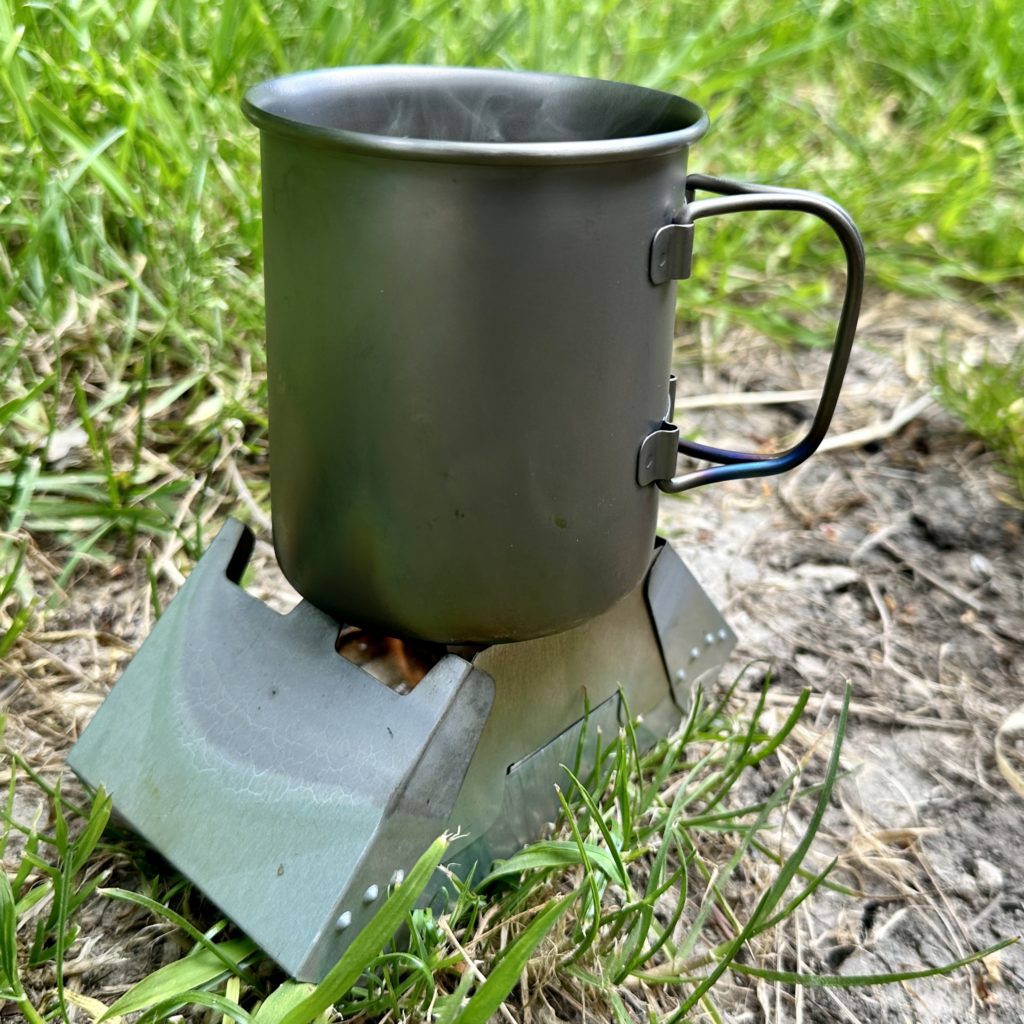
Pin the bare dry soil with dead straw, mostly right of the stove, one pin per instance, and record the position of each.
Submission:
(890, 562)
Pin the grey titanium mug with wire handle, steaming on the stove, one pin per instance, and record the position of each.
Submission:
(471, 302)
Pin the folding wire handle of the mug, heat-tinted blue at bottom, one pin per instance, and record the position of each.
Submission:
(670, 260)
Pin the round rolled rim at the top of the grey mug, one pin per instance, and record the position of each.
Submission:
(270, 106)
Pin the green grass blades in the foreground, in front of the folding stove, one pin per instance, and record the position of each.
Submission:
(645, 895)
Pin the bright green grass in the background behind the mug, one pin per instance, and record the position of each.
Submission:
(131, 260)
